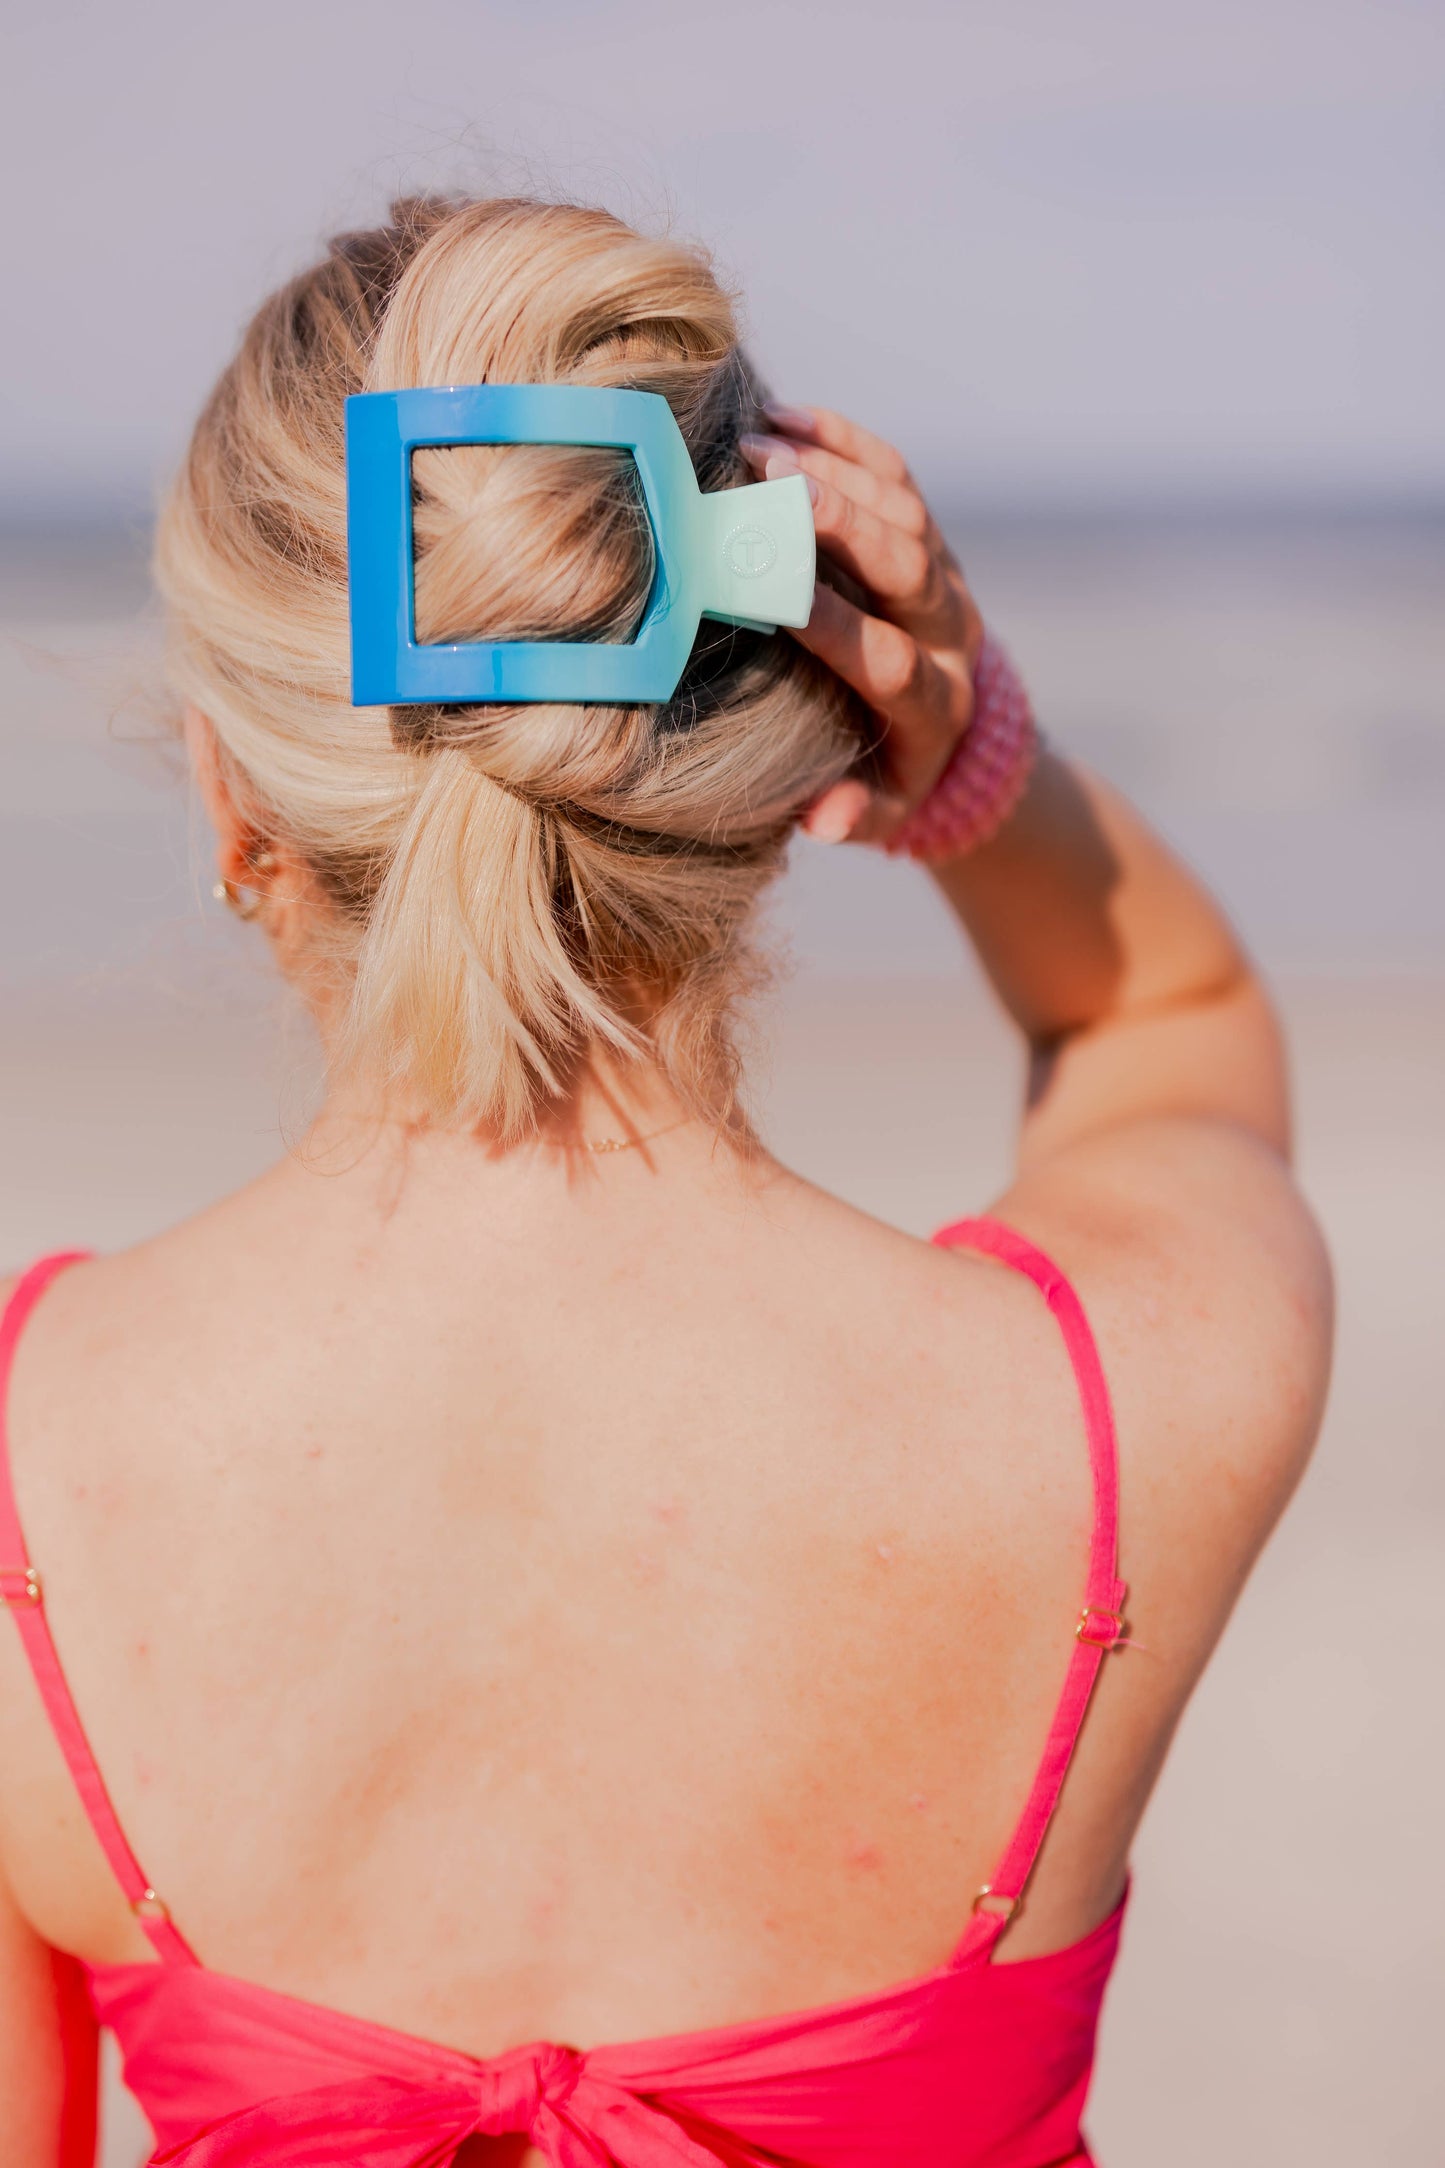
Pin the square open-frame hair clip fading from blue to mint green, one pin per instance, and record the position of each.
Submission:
(740, 556)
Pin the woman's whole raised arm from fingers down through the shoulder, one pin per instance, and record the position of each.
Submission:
(1156, 1124)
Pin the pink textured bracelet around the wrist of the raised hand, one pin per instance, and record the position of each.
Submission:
(987, 771)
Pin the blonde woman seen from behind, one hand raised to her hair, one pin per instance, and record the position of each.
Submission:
(543, 1636)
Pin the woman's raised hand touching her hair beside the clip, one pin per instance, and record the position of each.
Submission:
(911, 651)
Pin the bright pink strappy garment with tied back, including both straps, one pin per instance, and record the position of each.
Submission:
(974, 2065)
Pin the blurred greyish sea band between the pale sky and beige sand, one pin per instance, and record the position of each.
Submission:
(1266, 682)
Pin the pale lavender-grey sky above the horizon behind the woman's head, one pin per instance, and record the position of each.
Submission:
(1056, 248)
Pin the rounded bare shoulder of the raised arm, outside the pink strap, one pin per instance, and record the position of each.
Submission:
(1210, 1291)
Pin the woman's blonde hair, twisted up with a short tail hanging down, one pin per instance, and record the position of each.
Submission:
(508, 890)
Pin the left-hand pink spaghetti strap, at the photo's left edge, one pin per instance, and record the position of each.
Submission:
(23, 1595)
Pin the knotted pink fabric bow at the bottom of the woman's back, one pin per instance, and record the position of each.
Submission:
(549, 2093)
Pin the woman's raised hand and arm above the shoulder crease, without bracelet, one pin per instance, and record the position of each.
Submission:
(1119, 968)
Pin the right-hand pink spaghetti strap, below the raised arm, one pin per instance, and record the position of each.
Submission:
(1099, 1625)
